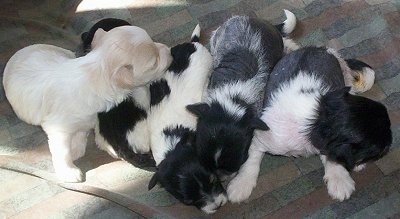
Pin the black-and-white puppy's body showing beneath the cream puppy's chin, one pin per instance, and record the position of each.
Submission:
(123, 132)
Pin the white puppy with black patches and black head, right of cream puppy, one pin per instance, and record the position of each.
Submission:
(179, 170)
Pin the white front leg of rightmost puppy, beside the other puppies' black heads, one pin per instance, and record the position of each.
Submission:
(240, 187)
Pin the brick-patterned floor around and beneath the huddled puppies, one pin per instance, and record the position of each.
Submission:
(287, 188)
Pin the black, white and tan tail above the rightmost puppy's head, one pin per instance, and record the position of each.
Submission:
(363, 76)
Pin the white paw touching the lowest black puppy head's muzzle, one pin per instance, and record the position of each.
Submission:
(240, 188)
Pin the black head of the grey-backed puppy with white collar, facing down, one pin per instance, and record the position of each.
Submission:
(223, 138)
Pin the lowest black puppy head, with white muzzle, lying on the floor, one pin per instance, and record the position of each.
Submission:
(182, 175)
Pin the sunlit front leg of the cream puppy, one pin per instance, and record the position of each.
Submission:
(60, 148)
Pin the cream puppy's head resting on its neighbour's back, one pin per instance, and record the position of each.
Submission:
(130, 57)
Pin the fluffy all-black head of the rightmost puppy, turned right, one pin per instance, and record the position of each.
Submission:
(351, 129)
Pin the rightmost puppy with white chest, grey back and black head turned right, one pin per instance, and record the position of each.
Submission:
(310, 111)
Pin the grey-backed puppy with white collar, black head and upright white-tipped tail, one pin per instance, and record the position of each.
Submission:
(244, 51)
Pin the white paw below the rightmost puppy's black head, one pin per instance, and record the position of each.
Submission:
(340, 187)
